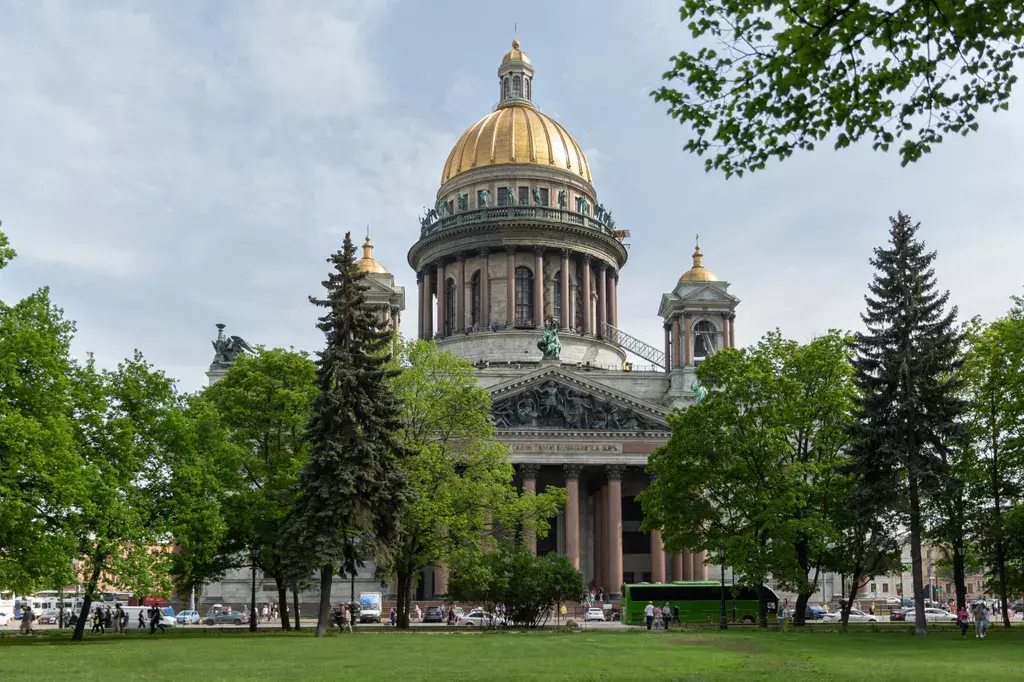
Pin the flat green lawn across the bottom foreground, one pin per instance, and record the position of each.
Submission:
(544, 656)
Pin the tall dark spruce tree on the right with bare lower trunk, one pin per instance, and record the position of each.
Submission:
(907, 365)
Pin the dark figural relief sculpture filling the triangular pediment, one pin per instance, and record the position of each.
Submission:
(556, 406)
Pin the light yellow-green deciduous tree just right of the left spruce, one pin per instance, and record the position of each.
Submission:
(462, 477)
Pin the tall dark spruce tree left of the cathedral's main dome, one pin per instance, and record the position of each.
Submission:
(355, 485)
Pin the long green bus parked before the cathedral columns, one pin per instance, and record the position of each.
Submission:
(698, 602)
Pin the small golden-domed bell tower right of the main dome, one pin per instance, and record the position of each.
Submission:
(699, 318)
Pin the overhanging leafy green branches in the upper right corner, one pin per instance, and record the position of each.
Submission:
(770, 77)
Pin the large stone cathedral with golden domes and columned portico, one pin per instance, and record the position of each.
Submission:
(519, 245)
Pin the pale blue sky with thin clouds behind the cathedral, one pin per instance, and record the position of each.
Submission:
(168, 166)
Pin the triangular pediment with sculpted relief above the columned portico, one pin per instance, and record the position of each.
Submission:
(556, 399)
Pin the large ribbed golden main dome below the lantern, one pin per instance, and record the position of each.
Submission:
(517, 135)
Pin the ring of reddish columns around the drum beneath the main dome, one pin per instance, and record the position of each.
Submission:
(532, 299)
